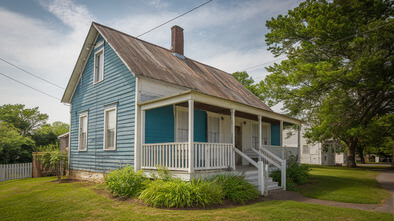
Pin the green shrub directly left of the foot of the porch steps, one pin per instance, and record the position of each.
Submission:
(236, 188)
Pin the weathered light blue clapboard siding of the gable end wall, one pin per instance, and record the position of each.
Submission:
(117, 88)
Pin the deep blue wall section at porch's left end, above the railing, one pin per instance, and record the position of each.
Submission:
(159, 125)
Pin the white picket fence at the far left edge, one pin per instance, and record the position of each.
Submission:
(15, 171)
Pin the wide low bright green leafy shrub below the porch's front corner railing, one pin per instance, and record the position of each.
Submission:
(178, 193)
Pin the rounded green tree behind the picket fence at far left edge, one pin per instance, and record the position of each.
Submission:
(14, 148)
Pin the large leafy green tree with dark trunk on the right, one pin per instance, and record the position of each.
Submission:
(338, 75)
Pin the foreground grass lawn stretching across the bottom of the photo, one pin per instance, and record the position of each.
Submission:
(42, 199)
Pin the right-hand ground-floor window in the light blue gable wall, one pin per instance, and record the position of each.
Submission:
(110, 129)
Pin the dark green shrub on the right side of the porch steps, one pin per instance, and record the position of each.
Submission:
(295, 175)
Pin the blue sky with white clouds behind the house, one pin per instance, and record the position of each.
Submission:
(45, 37)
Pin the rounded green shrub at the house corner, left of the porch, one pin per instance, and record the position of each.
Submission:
(125, 182)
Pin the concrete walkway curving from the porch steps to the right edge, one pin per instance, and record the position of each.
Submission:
(386, 180)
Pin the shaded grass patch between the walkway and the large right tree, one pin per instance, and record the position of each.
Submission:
(352, 185)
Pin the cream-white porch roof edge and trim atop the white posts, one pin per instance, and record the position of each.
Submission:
(219, 105)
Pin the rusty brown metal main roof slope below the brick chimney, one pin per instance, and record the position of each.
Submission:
(148, 60)
